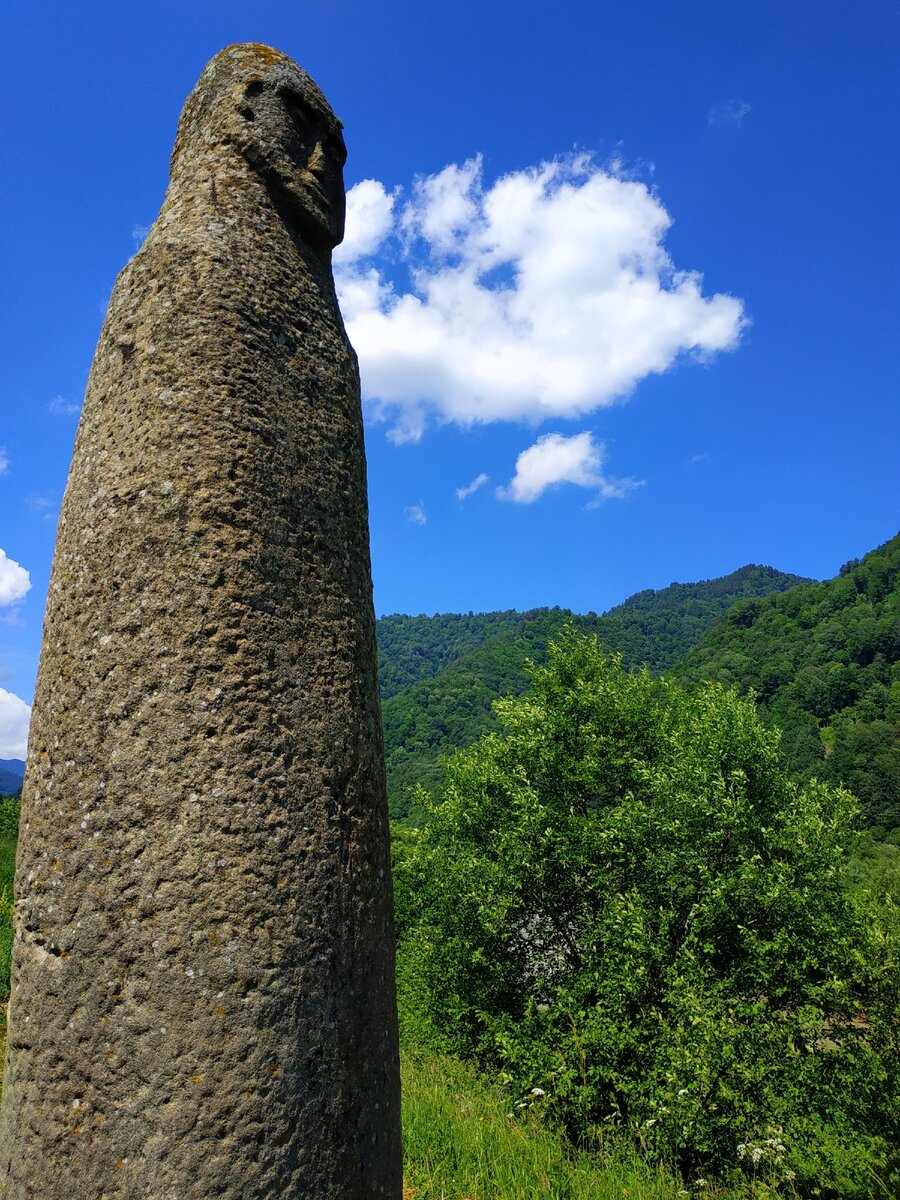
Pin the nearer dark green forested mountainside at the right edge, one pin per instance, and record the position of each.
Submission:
(825, 663)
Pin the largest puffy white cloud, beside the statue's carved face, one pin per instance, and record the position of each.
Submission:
(547, 295)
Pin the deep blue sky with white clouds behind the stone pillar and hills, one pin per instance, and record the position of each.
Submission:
(629, 267)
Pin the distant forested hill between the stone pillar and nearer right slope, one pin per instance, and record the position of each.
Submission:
(441, 675)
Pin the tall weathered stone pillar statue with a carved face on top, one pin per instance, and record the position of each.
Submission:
(203, 976)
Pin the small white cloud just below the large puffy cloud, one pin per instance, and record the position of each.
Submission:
(555, 459)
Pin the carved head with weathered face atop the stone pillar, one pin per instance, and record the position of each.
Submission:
(262, 104)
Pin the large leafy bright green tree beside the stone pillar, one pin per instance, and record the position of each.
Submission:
(627, 904)
